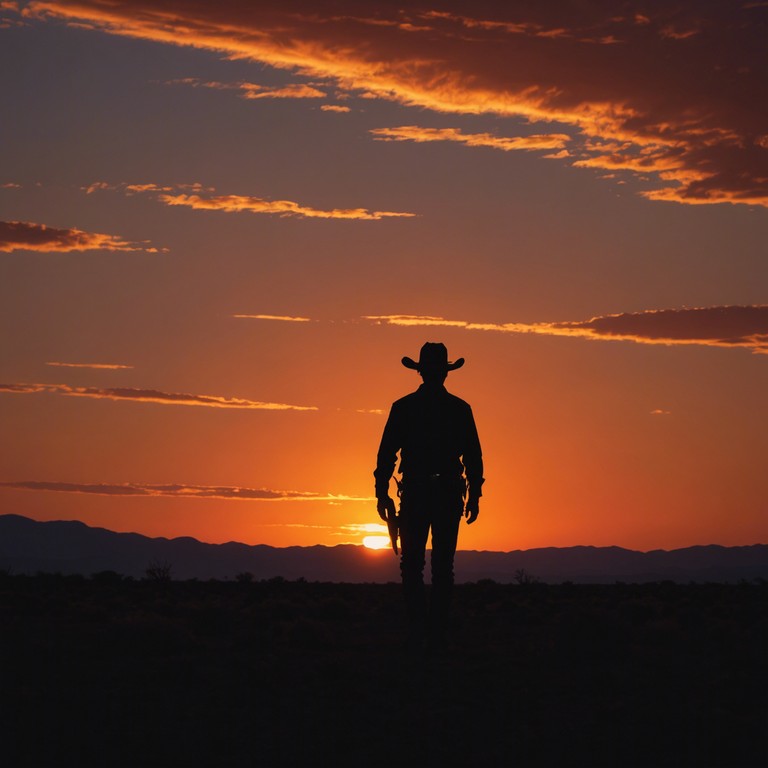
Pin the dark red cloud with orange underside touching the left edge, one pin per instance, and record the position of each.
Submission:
(26, 236)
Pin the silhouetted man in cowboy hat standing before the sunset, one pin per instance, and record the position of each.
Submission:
(442, 466)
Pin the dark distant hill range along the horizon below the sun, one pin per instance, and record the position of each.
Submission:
(28, 546)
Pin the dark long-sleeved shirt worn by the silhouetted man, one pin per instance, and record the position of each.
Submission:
(435, 433)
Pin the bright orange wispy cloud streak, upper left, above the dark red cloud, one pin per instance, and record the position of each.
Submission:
(179, 195)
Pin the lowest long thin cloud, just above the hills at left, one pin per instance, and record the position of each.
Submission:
(230, 493)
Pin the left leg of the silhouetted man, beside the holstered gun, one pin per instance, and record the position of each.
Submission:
(414, 529)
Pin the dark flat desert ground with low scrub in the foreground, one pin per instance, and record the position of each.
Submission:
(111, 671)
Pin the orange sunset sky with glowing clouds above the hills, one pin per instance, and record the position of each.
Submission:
(223, 224)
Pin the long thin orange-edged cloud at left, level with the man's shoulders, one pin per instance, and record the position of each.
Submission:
(153, 396)
